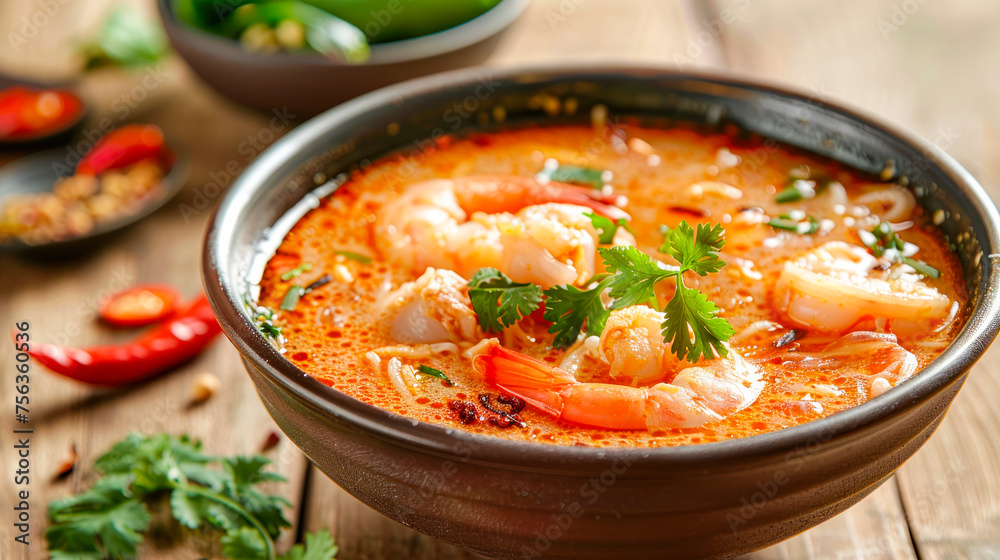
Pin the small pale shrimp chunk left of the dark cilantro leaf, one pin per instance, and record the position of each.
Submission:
(433, 308)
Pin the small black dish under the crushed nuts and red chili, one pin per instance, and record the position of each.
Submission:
(37, 173)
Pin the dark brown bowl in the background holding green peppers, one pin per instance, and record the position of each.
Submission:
(306, 84)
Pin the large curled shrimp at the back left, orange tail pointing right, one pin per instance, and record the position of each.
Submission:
(530, 231)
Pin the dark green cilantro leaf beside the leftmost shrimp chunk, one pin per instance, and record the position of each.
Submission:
(498, 301)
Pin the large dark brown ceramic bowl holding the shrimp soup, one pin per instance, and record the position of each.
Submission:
(513, 499)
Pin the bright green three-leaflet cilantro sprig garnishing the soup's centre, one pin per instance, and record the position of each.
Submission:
(691, 324)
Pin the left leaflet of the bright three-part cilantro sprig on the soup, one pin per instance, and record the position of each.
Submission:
(635, 275)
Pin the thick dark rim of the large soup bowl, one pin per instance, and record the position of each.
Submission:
(980, 329)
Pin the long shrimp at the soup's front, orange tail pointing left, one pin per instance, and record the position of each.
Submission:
(697, 395)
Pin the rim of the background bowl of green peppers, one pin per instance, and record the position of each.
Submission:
(465, 34)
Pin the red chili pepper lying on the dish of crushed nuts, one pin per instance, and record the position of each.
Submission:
(124, 146)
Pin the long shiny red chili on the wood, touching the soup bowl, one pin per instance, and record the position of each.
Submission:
(166, 345)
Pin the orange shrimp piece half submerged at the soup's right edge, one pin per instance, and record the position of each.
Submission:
(876, 357)
